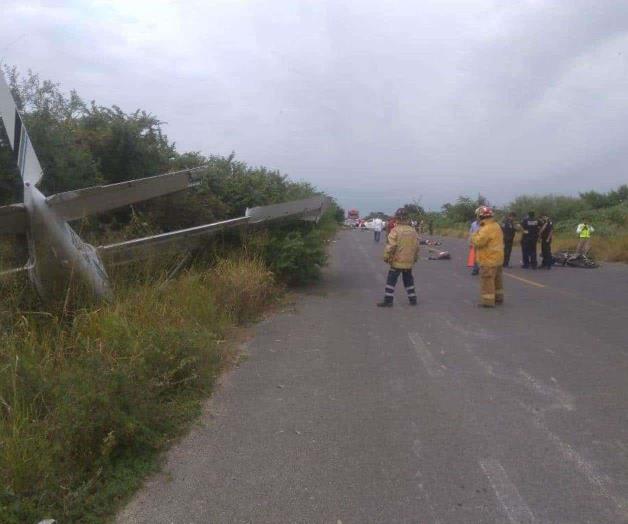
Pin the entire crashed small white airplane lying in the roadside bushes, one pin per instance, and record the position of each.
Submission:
(56, 253)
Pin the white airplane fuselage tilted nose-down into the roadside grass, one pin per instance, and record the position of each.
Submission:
(58, 256)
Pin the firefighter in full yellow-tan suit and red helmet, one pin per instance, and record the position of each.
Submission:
(489, 246)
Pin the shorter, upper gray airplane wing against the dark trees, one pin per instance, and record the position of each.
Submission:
(80, 203)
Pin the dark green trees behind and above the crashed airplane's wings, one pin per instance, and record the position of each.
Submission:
(80, 145)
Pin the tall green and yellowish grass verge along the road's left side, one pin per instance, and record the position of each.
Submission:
(87, 401)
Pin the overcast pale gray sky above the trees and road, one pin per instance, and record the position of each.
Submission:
(376, 102)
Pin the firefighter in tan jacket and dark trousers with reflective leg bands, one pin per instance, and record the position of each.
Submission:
(401, 252)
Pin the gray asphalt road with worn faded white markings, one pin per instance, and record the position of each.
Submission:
(444, 413)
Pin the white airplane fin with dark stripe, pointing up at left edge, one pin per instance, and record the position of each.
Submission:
(20, 143)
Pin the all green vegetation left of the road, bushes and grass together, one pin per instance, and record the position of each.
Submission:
(86, 401)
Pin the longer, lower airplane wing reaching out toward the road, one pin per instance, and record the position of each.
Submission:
(130, 250)
